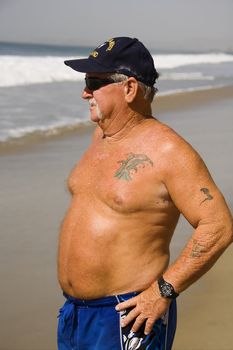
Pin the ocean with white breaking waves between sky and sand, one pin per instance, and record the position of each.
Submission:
(39, 95)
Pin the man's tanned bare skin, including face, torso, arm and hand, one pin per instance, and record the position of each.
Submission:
(115, 236)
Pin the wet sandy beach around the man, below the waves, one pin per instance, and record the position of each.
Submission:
(34, 199)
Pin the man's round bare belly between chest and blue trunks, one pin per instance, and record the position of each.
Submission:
(104, 253)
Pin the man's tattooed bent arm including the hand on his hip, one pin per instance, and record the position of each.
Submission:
(197, 197)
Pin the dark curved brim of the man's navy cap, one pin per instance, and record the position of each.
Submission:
(87, 65)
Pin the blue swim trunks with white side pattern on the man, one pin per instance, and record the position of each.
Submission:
(95, 325)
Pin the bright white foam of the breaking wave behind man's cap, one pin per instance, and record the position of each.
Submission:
(25, 70)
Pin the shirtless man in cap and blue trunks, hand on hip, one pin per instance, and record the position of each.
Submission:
(128, 191)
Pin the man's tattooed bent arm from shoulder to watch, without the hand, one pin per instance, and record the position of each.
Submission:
(197, 197)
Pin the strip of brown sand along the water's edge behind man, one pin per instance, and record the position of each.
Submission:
(175, 101)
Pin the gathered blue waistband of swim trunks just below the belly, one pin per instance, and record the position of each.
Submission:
(105, 301)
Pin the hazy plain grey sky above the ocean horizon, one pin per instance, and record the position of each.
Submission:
(171, 25)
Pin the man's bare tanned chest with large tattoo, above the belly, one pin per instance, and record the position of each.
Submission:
(125, 180)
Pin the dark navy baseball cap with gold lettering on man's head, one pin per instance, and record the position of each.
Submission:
(119, 55)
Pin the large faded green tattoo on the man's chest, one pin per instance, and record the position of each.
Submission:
(132, 164)
